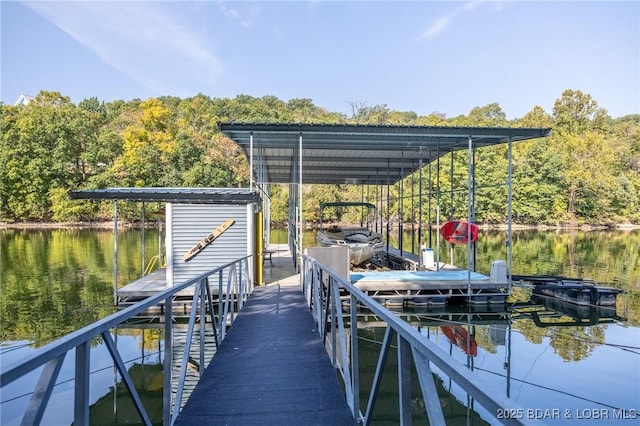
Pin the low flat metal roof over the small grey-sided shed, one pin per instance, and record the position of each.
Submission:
(171, 195)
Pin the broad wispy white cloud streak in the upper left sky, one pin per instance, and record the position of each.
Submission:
(143, 40)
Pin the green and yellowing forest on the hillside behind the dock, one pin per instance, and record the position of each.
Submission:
(586, 172)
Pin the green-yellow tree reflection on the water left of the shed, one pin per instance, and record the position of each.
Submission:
(56, 281)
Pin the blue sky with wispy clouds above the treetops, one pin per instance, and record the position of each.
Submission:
(422, 56)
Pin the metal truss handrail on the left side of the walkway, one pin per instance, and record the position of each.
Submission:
(239, 286)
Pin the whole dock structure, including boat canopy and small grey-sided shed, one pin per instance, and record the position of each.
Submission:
(375, 157)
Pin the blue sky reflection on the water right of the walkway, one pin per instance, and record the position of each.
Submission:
(545, 354)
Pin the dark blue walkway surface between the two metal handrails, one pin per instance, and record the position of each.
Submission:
(271, 369)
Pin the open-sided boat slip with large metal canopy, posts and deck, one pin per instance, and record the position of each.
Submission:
(377, 157)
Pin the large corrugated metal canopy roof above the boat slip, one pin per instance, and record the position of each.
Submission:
(358, 154)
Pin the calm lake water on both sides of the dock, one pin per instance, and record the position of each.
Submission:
(556, 360)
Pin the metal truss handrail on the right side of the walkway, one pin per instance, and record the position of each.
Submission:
(328, 294)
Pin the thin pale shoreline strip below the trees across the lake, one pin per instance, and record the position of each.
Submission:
(484, 227)
